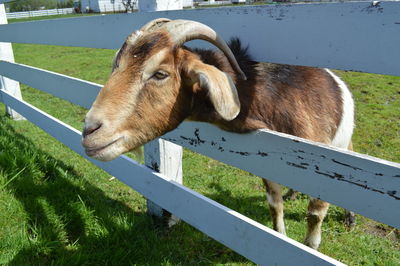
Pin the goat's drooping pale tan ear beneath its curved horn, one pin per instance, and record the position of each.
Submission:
(220, 87)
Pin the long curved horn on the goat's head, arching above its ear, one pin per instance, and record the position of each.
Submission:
(186, 30)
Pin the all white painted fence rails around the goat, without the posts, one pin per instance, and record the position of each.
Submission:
(351, 36)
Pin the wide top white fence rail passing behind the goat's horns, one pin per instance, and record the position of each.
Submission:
(332, 35)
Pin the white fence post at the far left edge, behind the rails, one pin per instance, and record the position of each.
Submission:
(6, 54)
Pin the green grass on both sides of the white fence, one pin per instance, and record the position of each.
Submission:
(57, 208)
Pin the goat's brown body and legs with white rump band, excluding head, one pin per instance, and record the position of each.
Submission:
(307, 102)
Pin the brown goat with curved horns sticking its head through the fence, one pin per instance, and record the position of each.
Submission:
(157, 83)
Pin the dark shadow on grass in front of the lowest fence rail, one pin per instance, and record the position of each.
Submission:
(70, 221)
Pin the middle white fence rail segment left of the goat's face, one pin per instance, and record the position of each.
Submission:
(77, 91)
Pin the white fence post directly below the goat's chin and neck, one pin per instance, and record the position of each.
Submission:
(166, 158)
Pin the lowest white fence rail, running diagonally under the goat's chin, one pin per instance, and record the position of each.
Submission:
(249, 238)
